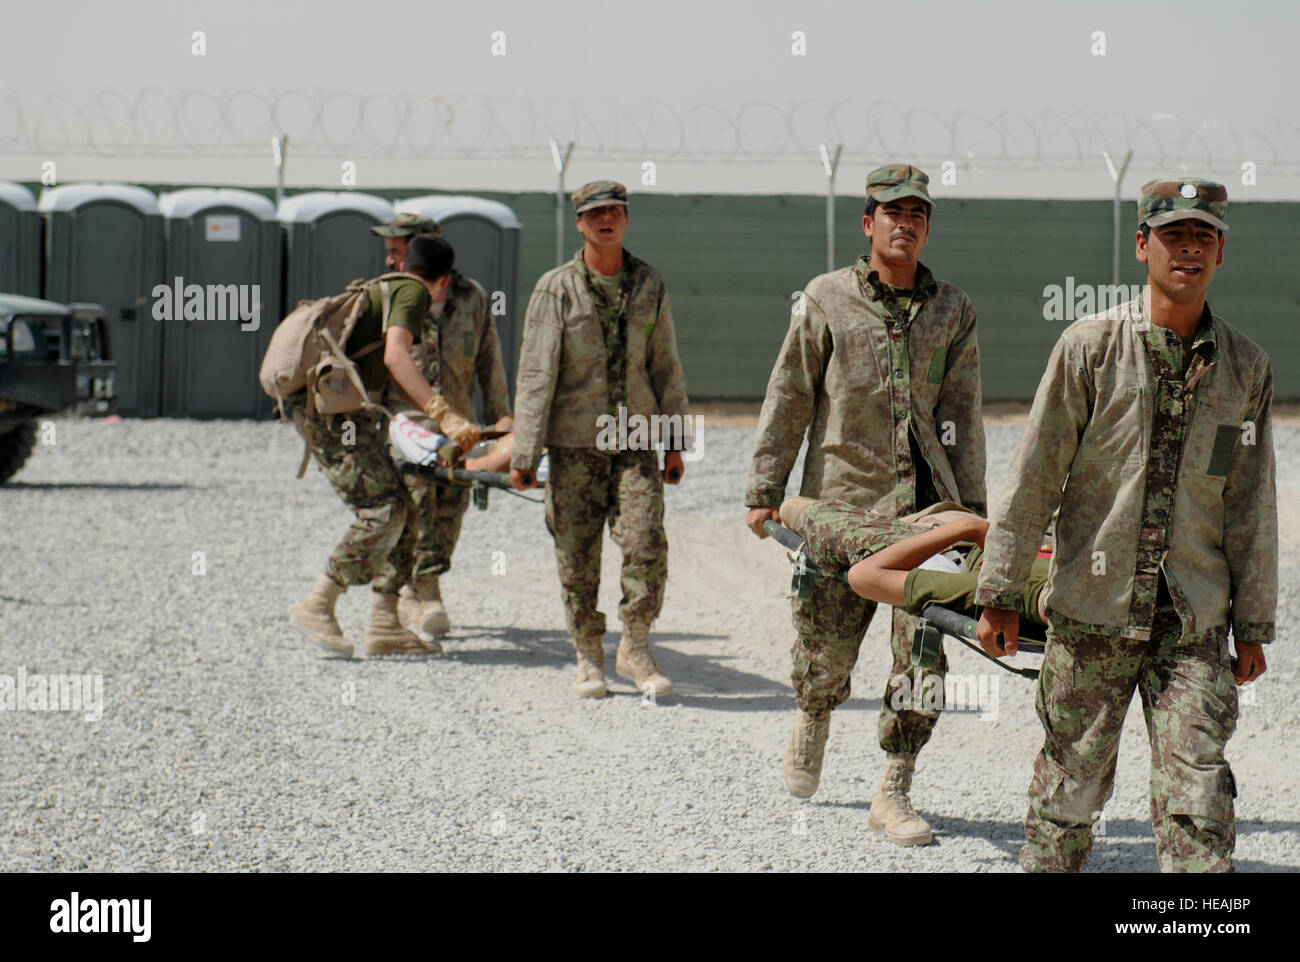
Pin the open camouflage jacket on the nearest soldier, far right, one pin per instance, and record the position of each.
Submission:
(1162, 474)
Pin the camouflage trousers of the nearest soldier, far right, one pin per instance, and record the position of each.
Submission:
(1189, 700)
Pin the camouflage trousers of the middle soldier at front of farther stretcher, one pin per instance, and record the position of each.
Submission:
(586, 489)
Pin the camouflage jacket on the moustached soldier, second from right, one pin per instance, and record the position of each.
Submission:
(859, 372)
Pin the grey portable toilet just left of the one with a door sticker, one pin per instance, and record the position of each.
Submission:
(105, 245)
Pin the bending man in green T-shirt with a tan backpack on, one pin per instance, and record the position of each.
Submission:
(353, 454)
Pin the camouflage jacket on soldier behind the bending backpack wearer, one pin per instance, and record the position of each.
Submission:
(460, 346)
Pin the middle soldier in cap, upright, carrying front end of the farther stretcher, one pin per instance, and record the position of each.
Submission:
(600, 350)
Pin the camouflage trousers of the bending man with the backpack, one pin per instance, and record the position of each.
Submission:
(353, 452)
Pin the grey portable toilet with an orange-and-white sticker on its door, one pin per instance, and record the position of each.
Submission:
(223, 288)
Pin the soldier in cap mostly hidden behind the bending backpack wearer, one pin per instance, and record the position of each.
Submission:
(457, 346)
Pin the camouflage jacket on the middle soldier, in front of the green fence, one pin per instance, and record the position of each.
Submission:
(564, 385)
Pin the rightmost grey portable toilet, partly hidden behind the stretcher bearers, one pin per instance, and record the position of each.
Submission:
(486, 235)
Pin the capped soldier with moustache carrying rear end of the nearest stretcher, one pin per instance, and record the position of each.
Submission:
(881, 367)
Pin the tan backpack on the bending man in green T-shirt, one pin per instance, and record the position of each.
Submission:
(309, 350)
